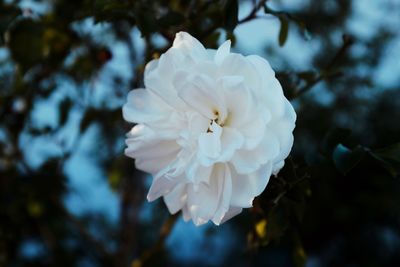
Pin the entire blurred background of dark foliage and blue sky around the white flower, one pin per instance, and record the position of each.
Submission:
(69, 197)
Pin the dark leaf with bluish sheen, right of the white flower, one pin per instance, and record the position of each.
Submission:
(345, 159)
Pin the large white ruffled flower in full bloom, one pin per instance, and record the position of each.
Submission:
(212, 126)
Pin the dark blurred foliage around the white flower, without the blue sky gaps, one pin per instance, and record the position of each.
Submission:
(335, 202)
